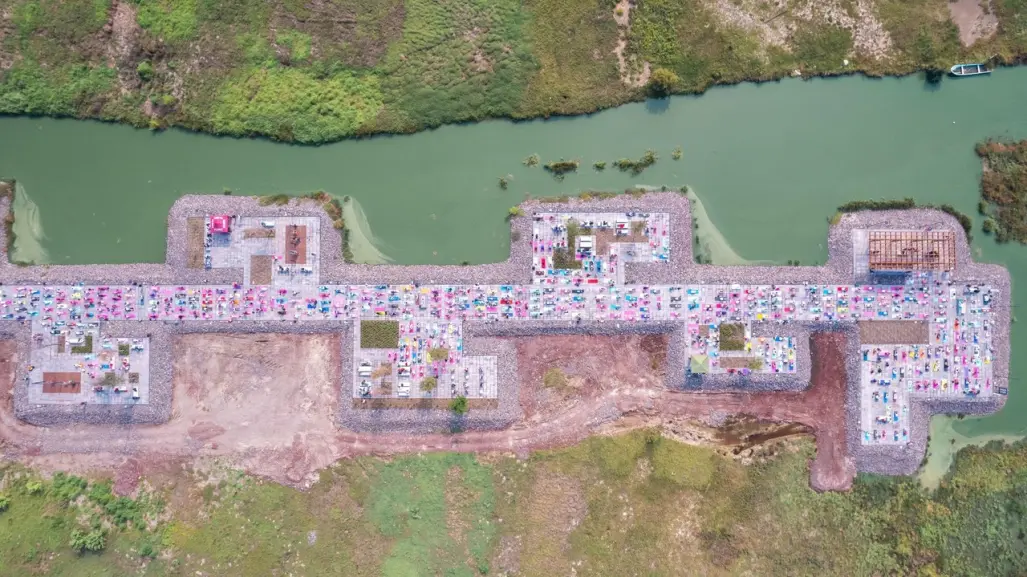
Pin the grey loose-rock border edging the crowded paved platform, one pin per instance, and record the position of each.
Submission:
(493, 339)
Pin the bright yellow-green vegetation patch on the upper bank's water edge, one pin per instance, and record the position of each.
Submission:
(293, 105)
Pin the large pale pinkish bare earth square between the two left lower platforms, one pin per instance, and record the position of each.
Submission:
(273, 398)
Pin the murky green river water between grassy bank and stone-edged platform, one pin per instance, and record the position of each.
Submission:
(771, 164)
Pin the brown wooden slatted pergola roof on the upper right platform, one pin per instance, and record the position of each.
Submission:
(912, 251)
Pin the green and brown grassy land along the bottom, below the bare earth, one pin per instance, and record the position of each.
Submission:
(607, 507)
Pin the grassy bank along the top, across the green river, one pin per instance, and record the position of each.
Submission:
(316, 72)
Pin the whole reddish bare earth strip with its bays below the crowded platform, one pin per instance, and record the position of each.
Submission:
(267, 404)
